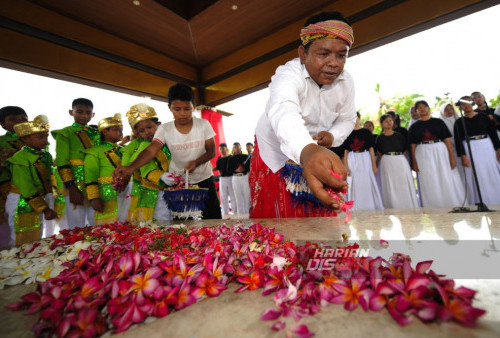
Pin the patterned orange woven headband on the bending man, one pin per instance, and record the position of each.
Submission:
(330, 29)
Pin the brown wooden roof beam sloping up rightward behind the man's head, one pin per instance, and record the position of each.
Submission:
(388, 25)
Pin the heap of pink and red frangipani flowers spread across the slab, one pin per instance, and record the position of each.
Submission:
(128, 273)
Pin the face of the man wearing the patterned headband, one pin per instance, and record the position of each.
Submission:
(325, 59)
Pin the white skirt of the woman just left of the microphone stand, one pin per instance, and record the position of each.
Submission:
(440, 186)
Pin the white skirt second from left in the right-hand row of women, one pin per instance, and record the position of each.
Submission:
(398, 188)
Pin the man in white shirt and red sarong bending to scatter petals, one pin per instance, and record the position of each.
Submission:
(311, 108)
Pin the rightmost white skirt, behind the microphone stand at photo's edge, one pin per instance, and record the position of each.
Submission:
(488, 172)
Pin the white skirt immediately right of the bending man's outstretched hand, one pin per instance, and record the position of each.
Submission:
(363, 189)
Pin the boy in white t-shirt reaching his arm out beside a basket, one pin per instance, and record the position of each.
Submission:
(191, 143)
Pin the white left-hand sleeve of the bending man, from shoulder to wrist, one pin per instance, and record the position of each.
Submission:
(285, 114)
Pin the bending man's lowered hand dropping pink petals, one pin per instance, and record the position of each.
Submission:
(316, 164)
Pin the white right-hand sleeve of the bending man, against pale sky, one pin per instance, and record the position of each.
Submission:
(344, 124)
